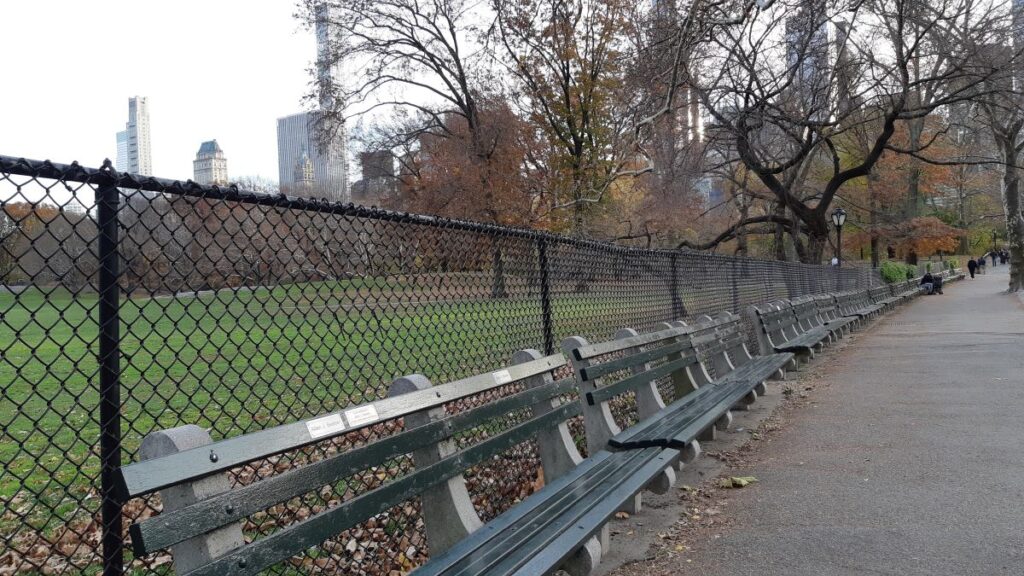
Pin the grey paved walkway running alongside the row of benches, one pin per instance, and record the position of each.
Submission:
(911, 464)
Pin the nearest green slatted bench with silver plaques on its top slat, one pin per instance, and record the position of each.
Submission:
(556, 527)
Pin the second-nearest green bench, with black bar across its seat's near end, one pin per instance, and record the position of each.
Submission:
(706, 365)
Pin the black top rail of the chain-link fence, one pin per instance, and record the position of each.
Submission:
(108, 176)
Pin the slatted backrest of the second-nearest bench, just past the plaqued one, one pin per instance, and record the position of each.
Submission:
(631, 364)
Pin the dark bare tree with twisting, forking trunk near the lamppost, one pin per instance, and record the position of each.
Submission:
(787, 106)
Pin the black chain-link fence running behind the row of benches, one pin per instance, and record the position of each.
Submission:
(130, 305)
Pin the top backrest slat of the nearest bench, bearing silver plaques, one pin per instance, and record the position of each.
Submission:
(150, 476)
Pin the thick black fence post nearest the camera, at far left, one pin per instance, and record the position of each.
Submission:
(110, 374)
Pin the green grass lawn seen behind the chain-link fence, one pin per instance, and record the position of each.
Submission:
(234, 362)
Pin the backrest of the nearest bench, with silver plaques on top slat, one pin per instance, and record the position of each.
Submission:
(202, 516)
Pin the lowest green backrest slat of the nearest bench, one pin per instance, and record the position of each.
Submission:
(267, 552)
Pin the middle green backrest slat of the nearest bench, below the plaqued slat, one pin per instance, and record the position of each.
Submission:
(174, 527)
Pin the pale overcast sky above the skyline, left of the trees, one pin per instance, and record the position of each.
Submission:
(211, 69)
